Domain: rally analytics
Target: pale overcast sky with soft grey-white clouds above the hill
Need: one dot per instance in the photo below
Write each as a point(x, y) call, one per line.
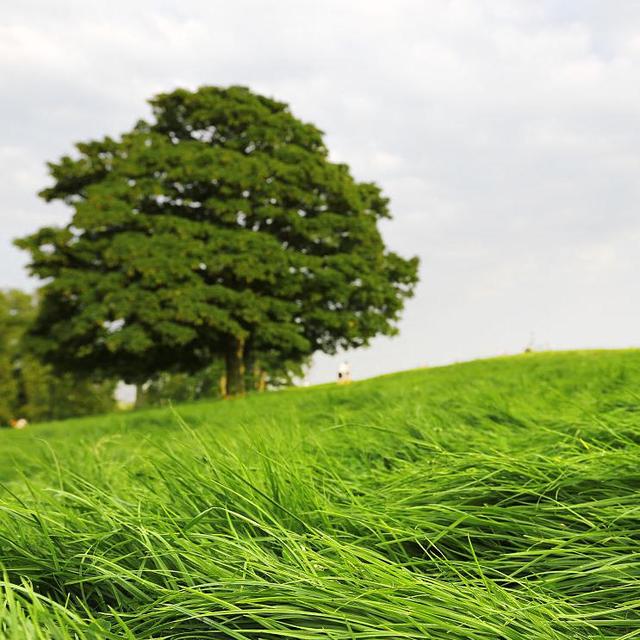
point(506, 133)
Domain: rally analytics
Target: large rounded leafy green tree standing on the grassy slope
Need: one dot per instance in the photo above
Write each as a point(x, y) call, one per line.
point(218, 228)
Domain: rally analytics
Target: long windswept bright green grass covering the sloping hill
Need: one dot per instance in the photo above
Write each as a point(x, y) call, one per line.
point(493, 499)
